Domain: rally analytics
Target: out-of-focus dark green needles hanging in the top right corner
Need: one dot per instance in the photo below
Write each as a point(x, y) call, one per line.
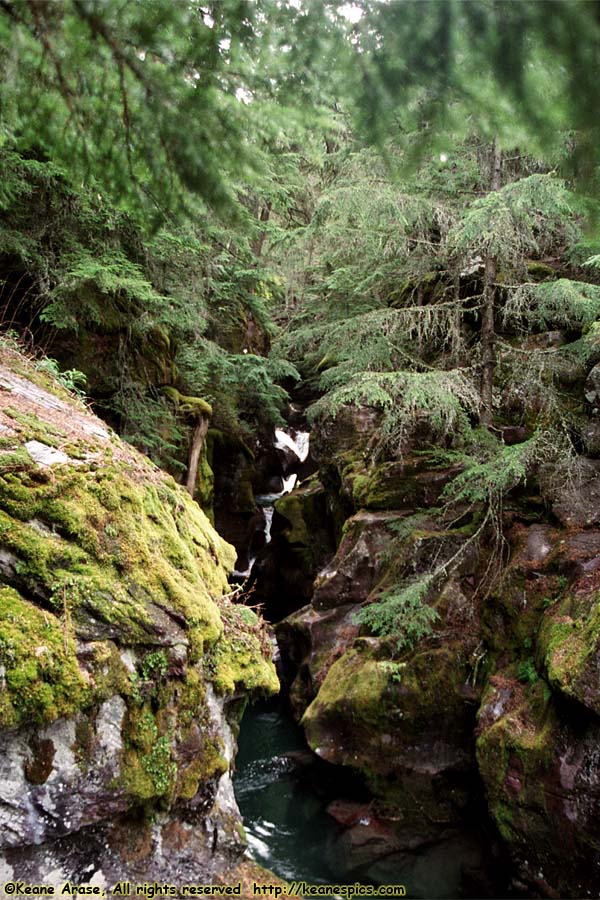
point(491, 67)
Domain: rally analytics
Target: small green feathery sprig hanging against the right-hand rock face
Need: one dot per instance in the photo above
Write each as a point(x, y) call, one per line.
point(403, 613)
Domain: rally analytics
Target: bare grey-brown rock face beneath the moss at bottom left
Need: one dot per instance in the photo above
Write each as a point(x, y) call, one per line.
point(78, 827)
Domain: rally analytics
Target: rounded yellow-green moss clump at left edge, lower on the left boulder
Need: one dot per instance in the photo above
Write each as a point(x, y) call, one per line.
point(41, 678)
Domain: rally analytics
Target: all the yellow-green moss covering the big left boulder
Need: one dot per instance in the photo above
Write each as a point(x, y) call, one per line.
point(117, 554)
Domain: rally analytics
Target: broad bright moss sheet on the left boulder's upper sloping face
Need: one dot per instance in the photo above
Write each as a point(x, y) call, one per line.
point(163, 547)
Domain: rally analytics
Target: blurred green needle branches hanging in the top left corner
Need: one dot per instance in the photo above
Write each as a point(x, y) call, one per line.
point(156, 103)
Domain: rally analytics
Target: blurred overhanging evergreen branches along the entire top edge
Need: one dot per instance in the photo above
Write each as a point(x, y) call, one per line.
point(159, 102)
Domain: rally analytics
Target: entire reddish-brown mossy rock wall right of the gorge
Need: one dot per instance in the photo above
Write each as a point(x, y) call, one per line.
point(435, 754)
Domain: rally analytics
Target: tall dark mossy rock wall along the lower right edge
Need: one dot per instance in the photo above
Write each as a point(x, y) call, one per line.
point(538, 725)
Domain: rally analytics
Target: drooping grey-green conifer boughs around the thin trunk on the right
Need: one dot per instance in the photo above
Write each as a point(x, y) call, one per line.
point(407, 340)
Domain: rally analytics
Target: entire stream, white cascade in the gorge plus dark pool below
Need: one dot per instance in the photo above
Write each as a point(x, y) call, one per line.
point(310, 821)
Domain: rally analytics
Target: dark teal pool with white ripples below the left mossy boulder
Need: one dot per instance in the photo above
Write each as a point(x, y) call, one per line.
point(282, 794)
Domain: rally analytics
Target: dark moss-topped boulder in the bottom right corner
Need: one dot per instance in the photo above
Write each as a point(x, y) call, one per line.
point(541, 770)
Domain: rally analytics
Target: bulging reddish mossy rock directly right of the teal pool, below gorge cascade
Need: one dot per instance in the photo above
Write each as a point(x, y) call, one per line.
point(405, 722)
